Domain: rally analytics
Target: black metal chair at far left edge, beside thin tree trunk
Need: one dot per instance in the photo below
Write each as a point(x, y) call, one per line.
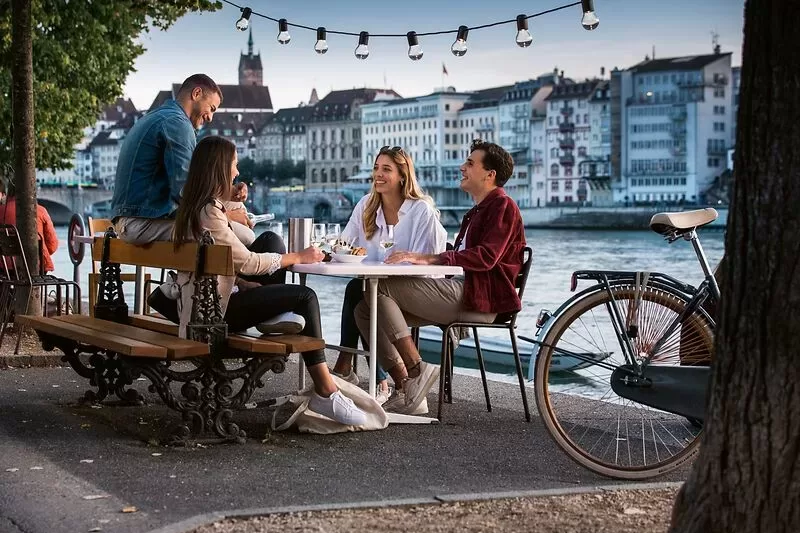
point(16, 279)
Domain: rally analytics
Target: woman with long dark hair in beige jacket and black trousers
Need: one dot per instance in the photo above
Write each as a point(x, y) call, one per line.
point(211, 174)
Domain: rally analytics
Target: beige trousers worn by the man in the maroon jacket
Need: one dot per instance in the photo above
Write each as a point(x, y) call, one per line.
point(412, 302)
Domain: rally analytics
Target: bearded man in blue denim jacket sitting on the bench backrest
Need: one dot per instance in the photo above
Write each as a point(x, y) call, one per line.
point(154, 160)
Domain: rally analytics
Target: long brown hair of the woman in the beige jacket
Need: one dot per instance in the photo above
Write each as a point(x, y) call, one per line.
point(209, 178)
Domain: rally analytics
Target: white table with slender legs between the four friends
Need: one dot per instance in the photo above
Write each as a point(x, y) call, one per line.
point(372, 271)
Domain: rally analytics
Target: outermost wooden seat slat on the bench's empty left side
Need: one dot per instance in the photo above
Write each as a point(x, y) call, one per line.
point(105, 340)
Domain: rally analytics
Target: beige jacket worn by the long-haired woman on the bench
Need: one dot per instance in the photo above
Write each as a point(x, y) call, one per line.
point(213, 219)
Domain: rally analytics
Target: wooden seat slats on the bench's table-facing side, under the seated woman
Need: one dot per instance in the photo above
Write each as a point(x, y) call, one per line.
point(277, 344)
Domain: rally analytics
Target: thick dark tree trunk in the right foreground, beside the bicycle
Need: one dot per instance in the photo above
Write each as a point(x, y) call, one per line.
point(747, 476)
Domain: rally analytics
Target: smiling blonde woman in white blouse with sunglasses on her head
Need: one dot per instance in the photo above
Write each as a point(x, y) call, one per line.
point(396, 200)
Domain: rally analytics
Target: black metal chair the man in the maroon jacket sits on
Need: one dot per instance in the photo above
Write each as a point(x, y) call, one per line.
point(503, 321)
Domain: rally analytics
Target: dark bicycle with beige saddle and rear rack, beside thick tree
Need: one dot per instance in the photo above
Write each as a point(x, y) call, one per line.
point(623, 366)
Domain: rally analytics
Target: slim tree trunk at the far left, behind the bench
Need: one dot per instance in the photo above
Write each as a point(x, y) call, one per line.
point(24, 141)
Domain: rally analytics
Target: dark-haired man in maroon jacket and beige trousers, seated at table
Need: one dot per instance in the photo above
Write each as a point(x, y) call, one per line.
point(488, 248)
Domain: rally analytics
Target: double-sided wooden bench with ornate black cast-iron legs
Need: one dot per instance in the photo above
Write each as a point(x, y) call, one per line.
point(112, 349)
